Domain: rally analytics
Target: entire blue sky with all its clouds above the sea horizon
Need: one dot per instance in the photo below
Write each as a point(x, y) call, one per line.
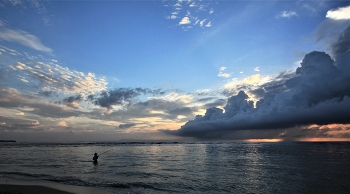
point(180, 70)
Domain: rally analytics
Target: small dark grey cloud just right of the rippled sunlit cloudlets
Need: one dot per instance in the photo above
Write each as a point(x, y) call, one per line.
point(120, 96)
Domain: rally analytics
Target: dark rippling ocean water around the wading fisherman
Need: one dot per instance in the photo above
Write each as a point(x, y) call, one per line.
point(137, 167)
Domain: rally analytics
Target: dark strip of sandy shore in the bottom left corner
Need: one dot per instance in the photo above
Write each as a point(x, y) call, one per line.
point(12, 186)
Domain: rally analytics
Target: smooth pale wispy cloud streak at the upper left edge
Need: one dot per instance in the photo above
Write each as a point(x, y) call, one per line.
point(23, 38)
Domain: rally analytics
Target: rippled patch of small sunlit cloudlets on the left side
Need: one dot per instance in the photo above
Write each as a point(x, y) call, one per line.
point(51, 77)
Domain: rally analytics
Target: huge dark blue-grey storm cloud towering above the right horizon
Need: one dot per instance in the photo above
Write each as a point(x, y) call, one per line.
point(318, 94)
